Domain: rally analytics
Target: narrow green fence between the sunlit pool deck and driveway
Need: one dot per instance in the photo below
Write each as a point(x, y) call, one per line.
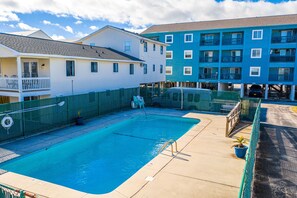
point(247, 178)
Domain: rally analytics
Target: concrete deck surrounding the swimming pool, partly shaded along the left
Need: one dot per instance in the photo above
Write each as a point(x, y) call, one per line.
point(204, 166)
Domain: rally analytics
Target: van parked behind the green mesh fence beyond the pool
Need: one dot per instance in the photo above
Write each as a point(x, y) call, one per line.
point(186, 98)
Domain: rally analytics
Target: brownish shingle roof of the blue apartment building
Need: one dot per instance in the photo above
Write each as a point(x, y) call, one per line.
point(225, 24)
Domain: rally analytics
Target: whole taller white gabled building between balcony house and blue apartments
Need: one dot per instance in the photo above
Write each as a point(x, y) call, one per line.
point(152, 52)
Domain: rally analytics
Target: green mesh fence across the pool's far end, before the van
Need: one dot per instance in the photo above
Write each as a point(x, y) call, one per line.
point(190, 99)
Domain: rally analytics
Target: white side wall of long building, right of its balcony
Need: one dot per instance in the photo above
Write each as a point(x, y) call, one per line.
point(85, 81)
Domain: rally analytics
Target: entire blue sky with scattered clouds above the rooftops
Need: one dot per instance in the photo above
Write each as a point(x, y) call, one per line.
point(74, 19)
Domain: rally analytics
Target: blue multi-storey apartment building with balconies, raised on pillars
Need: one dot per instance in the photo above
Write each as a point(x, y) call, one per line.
point(221, 53)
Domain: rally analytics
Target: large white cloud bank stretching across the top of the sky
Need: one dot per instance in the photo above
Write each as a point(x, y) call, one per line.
point(141, 13)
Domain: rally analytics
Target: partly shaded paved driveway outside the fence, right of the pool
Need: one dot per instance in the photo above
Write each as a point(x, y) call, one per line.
point(276, 163)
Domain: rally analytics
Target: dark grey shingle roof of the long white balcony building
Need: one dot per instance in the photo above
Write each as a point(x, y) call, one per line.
point(31, 45)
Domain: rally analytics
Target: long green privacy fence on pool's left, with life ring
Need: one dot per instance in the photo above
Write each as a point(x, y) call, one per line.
point(31, 117)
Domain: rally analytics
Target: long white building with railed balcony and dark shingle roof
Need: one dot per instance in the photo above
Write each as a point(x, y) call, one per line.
point(33, 68)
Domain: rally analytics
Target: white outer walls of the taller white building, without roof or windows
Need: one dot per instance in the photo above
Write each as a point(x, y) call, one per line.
point(116, 39)
